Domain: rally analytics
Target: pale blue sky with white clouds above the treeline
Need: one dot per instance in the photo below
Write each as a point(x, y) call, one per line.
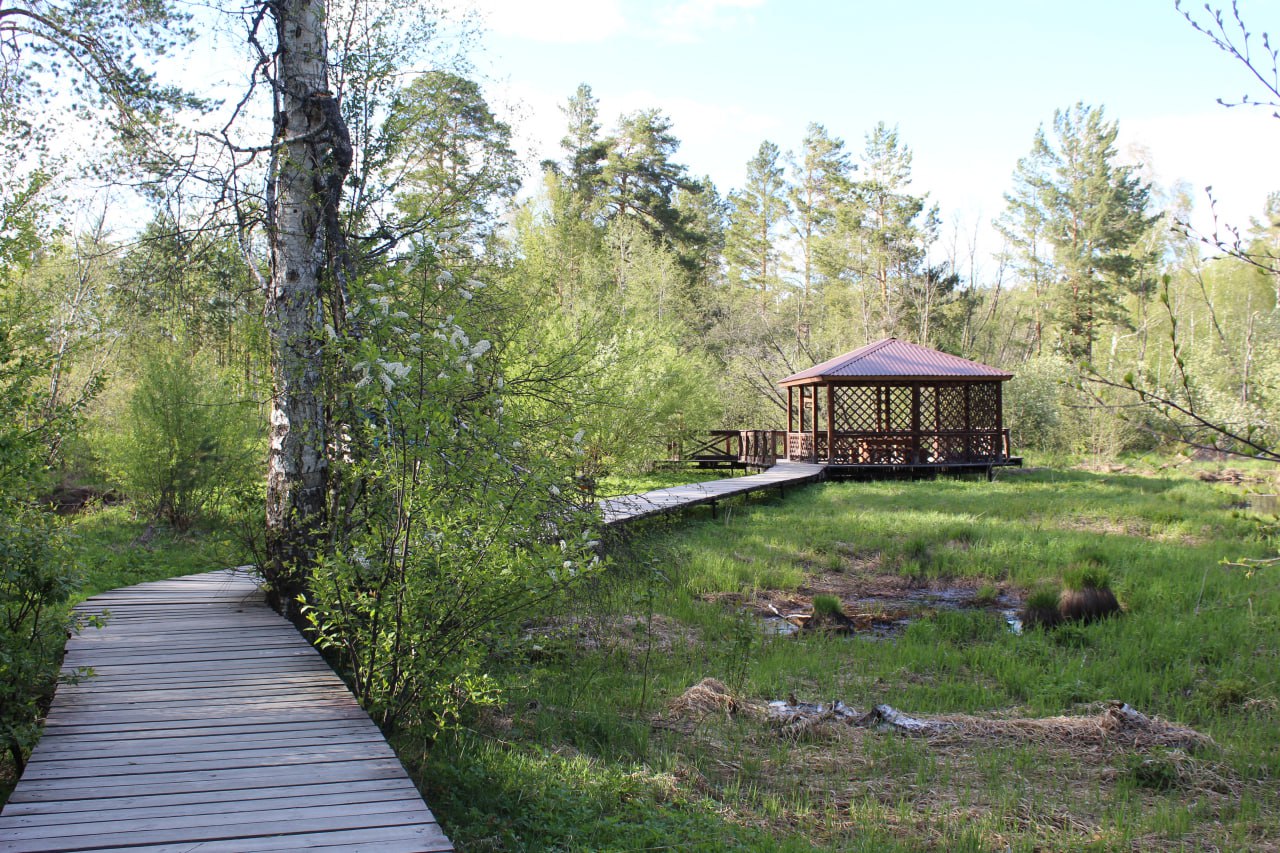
point(967, 84)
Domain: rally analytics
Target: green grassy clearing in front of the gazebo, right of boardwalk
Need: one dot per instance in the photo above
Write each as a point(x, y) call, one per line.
point(582, 736)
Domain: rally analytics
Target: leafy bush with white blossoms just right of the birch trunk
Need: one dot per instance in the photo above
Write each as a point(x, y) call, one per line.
point(451, 513)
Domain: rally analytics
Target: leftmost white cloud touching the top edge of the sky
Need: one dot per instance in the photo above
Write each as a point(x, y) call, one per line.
point(554, 21)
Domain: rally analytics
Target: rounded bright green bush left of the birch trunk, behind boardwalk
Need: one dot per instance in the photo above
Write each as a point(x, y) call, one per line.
point(185, 439)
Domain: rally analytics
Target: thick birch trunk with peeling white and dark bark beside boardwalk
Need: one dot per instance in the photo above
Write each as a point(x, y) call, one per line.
point(313, 157)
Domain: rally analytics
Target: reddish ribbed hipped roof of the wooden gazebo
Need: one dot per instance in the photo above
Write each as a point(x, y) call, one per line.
point(894, 359)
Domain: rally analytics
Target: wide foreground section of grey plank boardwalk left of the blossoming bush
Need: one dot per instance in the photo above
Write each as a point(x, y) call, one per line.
point(209, 727)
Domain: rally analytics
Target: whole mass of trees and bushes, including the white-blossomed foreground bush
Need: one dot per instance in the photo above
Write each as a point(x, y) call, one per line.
point(483, 345)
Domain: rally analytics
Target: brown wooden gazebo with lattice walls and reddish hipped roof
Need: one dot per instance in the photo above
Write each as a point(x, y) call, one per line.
point(898, 405)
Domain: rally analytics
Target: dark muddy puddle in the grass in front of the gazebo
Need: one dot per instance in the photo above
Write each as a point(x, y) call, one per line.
point(886, 617)
